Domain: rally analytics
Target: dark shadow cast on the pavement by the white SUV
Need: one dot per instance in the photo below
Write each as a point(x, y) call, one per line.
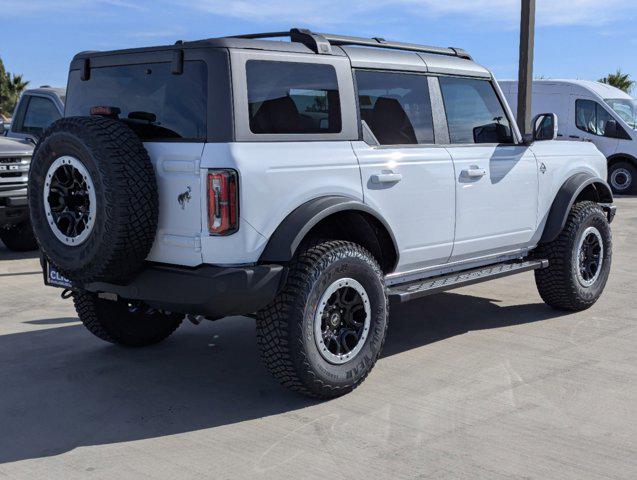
point(61, 388)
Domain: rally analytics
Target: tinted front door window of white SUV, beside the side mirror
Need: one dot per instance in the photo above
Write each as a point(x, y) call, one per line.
point(474, 112)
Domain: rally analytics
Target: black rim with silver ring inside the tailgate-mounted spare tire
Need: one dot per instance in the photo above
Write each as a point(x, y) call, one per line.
point(69, 200)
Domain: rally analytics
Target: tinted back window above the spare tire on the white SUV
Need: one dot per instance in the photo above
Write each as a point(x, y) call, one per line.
point(158, 105)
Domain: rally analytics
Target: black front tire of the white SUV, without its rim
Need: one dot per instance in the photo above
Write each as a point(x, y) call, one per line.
point(559, 285)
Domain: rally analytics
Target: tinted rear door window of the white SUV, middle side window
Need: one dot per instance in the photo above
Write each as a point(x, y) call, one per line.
point(396, 106)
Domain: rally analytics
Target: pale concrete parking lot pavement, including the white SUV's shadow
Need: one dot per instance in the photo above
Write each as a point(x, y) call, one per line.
point(485, 382)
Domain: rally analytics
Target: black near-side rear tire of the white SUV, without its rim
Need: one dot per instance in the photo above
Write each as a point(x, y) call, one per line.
point(285, 329)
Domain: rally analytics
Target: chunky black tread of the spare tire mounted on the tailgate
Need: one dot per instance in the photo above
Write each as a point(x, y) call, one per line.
point(132, 208)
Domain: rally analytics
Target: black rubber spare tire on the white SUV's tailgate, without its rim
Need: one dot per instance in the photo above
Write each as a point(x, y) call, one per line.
point(126, 209)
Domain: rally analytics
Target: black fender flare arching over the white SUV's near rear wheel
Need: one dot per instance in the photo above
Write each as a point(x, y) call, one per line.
point(292, 230)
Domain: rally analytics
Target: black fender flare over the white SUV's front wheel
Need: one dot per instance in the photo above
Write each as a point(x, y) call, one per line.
point(565, 198)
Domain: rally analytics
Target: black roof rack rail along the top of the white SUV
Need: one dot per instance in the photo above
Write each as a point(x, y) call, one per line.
point(322, 42)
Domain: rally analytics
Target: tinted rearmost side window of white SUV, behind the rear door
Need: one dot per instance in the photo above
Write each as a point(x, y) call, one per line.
point(296, 98)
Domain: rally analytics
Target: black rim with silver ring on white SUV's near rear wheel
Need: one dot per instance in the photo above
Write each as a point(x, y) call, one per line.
point(342, 321)
